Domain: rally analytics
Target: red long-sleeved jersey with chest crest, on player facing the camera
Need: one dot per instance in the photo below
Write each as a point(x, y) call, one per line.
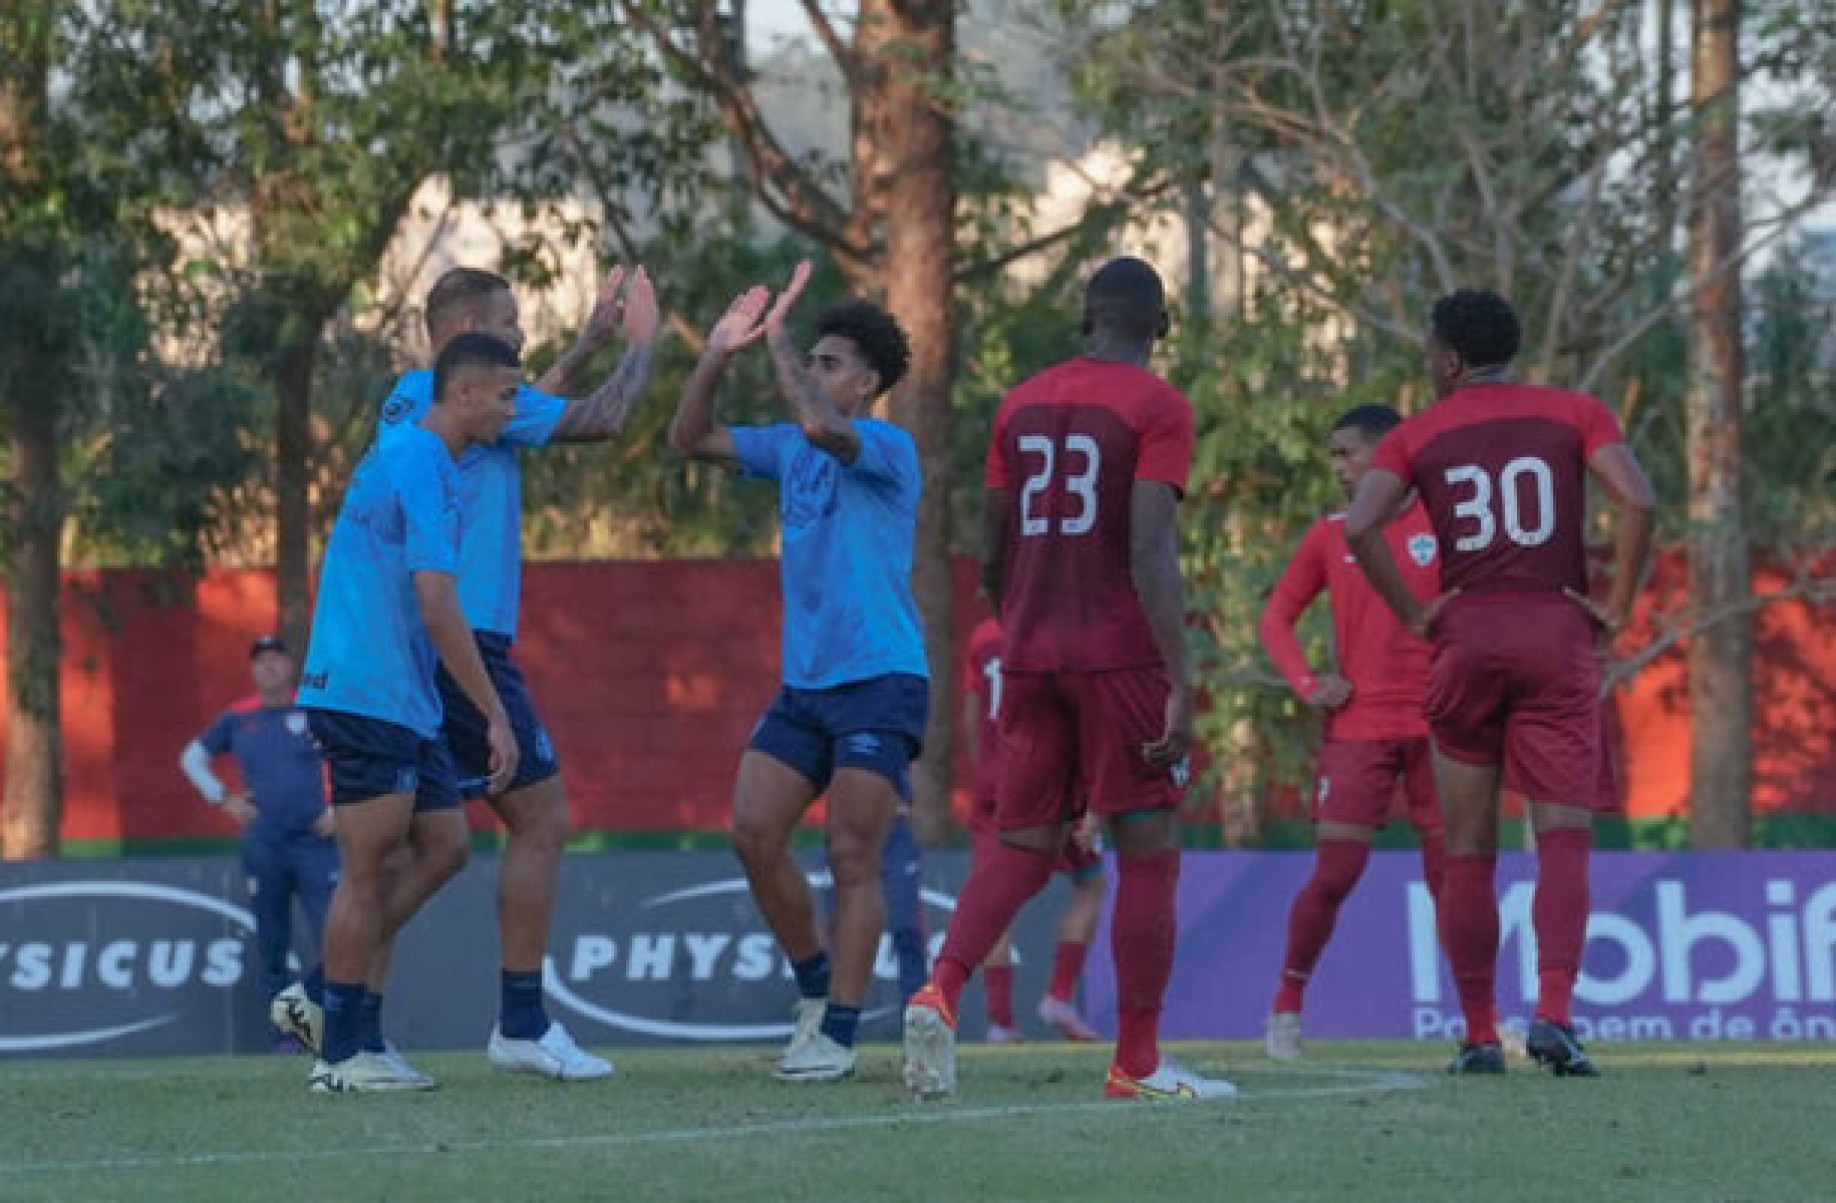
point(1383, 660)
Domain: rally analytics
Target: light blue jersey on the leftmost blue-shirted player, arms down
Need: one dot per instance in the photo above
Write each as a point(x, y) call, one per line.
point(370, 651)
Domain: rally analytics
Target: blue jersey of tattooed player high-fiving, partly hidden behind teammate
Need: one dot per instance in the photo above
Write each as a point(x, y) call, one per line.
point(491, 497)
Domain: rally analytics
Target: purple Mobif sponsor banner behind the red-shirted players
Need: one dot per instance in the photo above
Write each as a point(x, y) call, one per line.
point(1681, 947)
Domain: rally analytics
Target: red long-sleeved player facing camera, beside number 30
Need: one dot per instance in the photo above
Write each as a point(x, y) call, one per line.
point(1376, 736)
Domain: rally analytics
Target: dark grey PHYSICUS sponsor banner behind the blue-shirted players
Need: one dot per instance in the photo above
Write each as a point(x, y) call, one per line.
point(159, 958)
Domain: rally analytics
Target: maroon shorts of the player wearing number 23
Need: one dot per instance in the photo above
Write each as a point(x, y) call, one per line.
point(1073, 743)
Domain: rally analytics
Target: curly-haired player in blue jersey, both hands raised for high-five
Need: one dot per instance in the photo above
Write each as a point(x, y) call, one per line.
point(853, 710)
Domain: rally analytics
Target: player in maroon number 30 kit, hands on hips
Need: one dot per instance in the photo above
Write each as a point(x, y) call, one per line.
point(1516, 679)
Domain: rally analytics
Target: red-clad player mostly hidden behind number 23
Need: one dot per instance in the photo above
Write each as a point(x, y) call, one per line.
point(1082, 862)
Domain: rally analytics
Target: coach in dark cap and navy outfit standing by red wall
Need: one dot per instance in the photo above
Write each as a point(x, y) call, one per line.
point(287, 827)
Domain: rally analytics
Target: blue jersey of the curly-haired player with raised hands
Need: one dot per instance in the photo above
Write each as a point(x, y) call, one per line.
point(847, 567)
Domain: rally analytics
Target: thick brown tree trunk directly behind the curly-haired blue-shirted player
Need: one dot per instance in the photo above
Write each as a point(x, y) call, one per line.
point(919, 262)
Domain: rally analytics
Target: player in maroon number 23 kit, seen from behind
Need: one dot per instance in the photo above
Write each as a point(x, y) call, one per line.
point(1086, 471)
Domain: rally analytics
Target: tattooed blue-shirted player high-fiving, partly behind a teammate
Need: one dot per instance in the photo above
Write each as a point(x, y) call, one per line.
point(491, 504)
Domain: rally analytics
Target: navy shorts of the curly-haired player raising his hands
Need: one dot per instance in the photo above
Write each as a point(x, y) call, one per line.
point(873, 725)
